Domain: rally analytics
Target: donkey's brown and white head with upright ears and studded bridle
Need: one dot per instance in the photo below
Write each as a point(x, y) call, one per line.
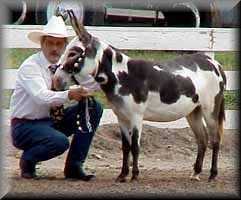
point(82, 56)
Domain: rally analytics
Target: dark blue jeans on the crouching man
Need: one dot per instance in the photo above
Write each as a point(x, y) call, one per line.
point(40, 140)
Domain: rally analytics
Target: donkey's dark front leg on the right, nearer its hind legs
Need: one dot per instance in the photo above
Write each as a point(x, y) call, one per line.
point(135, 149)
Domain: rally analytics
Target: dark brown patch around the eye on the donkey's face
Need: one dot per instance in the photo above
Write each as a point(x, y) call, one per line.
point(75, 55)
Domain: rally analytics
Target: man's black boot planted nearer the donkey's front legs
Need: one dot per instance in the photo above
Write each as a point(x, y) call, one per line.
point(77, 172)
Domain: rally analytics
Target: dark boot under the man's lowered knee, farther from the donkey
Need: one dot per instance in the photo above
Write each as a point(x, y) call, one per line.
point(27, 169)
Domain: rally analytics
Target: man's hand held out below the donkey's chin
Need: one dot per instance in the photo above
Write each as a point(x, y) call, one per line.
point(78, 92)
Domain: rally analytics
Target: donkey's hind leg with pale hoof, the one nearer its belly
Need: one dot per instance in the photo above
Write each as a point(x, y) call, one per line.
point(195, 121)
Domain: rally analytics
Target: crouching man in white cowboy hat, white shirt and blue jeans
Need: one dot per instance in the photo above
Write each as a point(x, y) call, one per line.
point(32, 129)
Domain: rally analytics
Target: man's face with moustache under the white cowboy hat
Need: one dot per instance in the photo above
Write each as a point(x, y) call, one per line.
point(53, 47)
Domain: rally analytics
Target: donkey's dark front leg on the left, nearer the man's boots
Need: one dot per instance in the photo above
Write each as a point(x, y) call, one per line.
point(125, 162)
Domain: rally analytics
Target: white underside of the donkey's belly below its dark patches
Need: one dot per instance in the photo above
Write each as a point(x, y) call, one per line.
point(162, 112)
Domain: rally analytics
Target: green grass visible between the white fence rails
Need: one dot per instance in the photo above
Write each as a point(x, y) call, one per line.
point(229, 61)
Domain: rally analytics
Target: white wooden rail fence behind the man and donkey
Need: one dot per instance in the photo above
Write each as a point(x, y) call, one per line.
point(142, 38)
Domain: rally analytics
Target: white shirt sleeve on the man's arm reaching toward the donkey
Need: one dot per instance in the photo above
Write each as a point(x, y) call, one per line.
point(31, 78)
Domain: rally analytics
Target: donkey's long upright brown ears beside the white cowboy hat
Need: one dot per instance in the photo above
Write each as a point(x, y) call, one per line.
point(79, 29)
